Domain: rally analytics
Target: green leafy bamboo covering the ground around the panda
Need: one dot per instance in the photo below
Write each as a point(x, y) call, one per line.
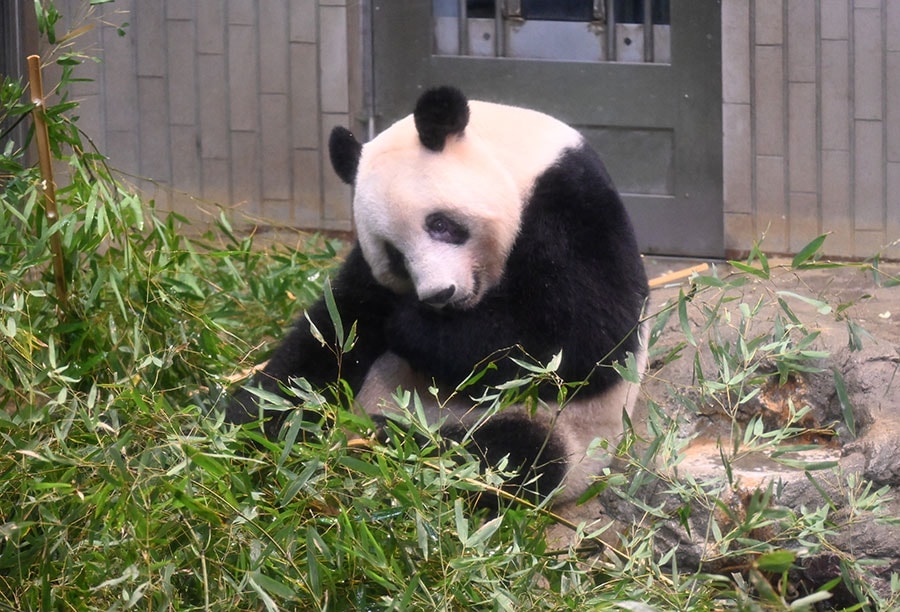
point(120, 487)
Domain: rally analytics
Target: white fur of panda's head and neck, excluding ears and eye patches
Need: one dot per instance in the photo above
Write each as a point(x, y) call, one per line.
point(482, 178)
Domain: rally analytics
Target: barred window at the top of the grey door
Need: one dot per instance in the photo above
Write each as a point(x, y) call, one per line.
point(634, 31)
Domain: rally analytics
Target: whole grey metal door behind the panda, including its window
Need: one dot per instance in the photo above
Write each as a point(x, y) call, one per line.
point(640, 78)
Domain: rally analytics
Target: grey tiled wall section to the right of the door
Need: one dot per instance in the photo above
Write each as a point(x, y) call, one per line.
point(811, 109)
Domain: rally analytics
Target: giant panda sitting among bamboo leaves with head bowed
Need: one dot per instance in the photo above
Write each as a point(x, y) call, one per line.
point(485, 233)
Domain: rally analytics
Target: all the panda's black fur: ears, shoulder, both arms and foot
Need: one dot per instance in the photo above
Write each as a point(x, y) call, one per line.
point(574, 281)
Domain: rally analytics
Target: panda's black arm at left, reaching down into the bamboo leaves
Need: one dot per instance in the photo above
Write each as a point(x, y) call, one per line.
point(359, 299)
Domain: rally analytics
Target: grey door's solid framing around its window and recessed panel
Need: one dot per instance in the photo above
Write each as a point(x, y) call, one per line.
point(686, 97)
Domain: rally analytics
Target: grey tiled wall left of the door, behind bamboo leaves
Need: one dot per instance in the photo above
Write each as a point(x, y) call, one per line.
point(225, 102)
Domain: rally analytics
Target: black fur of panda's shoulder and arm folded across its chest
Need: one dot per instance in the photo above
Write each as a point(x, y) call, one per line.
point(573, 281)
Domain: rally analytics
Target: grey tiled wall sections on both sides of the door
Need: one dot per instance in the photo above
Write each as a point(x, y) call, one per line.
point(230, 102)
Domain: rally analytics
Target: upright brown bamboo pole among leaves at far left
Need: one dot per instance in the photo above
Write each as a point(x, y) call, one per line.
point(43, 143)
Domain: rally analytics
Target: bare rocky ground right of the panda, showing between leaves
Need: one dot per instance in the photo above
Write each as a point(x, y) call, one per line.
point(872, 378)
